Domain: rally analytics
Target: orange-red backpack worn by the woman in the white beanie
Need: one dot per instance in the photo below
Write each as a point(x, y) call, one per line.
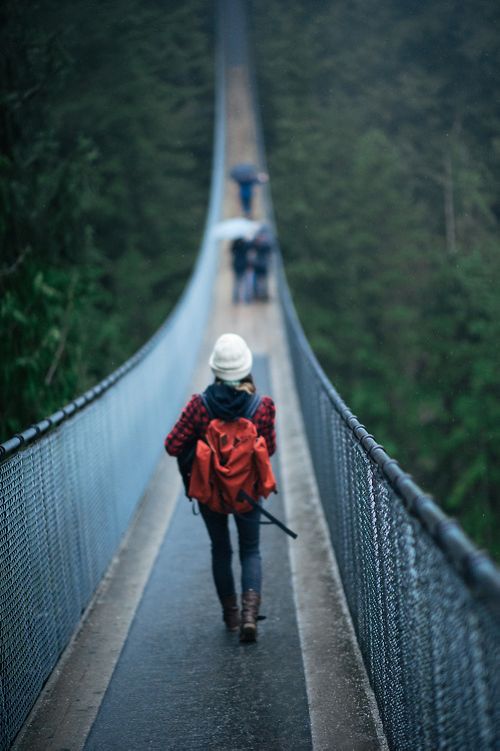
point(231, 459)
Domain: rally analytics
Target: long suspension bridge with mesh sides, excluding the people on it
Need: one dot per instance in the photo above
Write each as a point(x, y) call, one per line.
point(382, 626)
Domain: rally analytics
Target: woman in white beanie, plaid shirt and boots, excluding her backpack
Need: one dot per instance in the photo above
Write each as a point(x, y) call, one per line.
point(232, 395)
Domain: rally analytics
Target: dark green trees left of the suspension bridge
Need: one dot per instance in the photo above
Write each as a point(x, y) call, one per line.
point(105, 153)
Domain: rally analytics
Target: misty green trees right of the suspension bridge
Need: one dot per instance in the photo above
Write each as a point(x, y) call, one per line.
point(381, 123)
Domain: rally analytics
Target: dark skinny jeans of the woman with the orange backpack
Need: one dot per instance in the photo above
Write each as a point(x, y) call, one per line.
point(248, 537)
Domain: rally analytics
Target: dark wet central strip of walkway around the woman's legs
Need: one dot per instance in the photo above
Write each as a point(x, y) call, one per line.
point(182, 680)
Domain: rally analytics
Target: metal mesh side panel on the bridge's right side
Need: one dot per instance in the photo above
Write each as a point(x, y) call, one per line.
point(429, 639)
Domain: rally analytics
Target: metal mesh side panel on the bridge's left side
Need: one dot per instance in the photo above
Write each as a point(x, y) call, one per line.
point(67, 498)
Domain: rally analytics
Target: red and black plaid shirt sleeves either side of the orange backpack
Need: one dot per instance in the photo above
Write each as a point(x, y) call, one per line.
point(193, 424)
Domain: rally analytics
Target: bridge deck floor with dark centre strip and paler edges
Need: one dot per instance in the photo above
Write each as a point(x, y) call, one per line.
point(152, 666)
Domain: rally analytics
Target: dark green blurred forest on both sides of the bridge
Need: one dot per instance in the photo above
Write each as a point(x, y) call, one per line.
point(382, 128)
